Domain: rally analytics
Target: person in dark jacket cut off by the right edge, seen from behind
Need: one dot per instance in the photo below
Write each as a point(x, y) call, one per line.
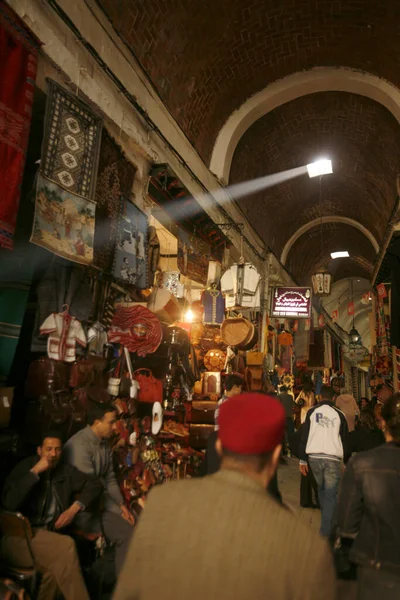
point(369, 511)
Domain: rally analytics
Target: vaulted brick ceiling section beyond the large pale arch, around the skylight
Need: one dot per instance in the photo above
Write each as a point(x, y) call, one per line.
point(363, 140)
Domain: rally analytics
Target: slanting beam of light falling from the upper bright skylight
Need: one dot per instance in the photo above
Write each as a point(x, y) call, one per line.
point(233, 192)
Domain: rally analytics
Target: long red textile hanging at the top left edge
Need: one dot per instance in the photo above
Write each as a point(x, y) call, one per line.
point(18, 64)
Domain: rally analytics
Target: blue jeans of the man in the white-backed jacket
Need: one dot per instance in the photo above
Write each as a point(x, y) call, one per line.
point(327, 475)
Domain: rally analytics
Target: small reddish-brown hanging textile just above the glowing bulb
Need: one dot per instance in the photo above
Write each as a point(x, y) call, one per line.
point(193, 257)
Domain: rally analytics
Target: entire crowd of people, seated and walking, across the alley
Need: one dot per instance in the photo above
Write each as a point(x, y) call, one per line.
point(228, 533)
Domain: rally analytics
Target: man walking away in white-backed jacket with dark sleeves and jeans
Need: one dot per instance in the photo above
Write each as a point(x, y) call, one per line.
point(324, 446)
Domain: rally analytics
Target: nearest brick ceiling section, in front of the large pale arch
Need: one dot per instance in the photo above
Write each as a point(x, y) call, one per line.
point(206, 57)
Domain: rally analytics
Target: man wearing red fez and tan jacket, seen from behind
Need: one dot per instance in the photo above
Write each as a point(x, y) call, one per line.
point(222, 537)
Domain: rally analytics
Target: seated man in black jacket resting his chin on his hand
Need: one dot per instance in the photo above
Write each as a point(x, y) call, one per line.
point(42, 488)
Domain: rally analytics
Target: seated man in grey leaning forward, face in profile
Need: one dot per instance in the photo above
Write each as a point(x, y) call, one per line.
point(88, 451)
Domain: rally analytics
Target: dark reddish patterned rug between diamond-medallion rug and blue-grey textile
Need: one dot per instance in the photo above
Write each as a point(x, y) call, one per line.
point(114, 182)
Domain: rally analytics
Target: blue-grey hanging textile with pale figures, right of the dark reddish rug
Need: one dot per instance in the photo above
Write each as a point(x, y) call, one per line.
point(130, 258)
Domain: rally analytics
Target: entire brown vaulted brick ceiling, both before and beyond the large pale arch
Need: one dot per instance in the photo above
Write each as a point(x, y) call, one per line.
point(205, 58)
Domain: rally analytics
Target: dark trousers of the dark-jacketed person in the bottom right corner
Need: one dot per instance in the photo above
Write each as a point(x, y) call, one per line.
point(376, 584)
